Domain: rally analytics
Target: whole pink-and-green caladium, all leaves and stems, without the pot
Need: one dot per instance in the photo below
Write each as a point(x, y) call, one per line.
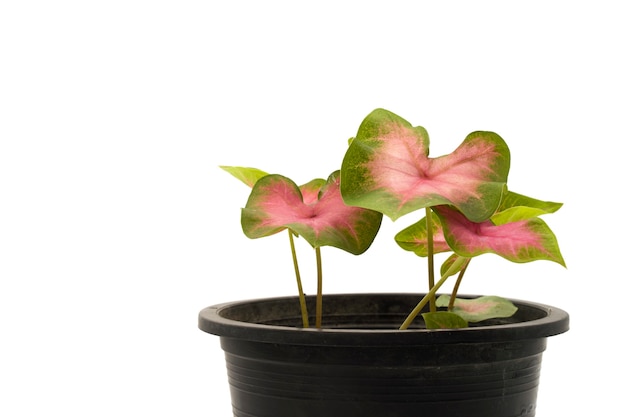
point(387, 170)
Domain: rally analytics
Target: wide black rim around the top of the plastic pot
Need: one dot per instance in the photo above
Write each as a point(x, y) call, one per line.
point(547, 321)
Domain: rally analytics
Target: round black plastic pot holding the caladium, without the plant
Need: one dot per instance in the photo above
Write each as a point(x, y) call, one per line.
point(360, 365)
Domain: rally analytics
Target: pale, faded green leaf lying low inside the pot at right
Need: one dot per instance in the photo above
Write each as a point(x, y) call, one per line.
point(479, 309)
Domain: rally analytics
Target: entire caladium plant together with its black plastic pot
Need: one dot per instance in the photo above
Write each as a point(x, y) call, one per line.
point(408, 354)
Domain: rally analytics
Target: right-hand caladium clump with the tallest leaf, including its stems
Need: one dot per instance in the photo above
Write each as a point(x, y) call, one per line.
point(468, 208)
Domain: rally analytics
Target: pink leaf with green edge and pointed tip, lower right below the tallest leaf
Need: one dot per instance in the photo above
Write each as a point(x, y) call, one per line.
point(520, 241)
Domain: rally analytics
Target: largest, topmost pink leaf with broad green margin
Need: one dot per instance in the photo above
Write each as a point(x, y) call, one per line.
point(387, 168)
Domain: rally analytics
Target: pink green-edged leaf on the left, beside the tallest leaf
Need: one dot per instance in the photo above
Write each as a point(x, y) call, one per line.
point(277, 203)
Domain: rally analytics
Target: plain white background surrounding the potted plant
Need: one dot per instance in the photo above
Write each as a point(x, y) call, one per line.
point(117, 226)
